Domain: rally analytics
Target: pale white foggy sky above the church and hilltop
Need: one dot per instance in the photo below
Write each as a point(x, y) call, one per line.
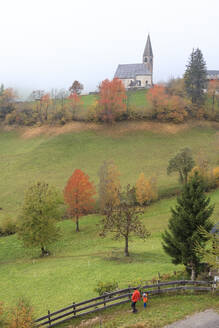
point(50, 43)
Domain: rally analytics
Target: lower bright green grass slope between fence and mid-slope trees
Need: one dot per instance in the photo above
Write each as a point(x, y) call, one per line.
point(80, 260)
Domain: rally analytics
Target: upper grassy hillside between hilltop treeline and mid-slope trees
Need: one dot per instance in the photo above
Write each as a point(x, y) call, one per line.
point(27, 155)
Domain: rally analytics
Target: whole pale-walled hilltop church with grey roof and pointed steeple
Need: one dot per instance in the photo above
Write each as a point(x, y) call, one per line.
point(138, 75)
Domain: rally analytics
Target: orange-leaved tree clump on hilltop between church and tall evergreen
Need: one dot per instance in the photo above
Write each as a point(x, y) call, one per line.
point(167, 107)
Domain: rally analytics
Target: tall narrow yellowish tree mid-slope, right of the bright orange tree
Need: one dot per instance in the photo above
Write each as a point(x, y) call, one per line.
point(109, 186)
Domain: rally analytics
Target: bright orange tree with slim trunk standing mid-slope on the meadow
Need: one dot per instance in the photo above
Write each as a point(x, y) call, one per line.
point(78, 195)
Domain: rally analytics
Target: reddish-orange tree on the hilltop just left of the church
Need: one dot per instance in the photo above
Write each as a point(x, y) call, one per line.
point(112, 100)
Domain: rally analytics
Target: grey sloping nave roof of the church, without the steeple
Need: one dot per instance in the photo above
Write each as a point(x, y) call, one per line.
point(128, 71)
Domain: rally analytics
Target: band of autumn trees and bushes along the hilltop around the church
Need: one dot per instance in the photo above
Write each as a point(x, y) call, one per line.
point(192, 96)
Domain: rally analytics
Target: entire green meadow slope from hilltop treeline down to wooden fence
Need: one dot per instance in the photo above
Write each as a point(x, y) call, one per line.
point(80, 260)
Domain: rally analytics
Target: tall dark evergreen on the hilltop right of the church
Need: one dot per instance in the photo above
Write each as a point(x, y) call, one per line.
point(195, 77)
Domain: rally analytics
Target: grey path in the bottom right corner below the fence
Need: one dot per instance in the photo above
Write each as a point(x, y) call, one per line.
point(206, 319)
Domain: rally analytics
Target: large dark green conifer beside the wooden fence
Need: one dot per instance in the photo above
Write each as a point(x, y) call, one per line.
point(191, 212)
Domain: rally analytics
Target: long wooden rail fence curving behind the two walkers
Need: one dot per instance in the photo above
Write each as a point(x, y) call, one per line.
point(76, 310)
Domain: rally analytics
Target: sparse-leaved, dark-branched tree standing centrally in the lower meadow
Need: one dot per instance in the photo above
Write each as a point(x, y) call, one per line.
point(124, 220)
